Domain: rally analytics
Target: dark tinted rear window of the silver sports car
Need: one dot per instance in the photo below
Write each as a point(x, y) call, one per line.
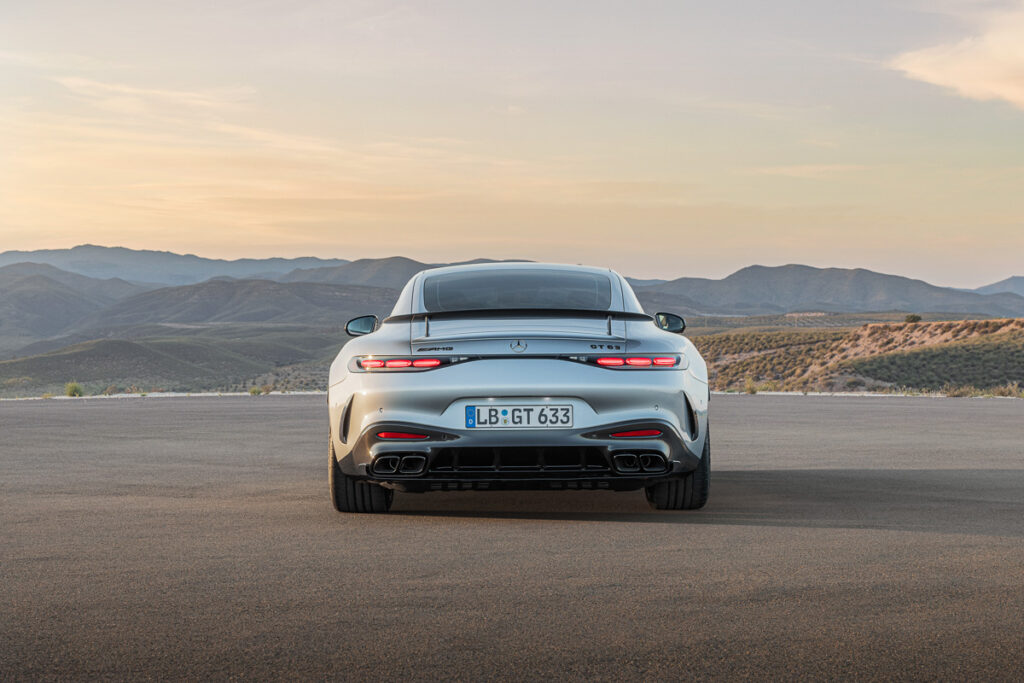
point(517, 289)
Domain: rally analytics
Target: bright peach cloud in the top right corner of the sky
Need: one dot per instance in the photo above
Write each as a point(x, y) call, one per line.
point(988, 66)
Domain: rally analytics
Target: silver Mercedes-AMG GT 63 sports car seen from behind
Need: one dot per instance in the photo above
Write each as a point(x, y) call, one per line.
point(519, 376)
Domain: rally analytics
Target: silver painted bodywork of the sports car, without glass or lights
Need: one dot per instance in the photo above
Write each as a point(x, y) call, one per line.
point(438, 398)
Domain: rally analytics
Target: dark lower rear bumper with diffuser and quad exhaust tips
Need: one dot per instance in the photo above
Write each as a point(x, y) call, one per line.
point(580, 458)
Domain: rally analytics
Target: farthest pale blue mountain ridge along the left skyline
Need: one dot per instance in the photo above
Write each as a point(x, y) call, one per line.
point(158, 267)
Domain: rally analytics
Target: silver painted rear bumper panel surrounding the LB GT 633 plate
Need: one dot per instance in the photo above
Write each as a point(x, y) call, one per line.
point(437, 402)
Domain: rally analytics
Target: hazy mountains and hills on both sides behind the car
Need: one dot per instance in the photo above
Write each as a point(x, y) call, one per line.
point(114, 316)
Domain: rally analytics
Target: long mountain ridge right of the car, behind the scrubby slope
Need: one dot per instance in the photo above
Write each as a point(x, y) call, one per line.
point(762, 290)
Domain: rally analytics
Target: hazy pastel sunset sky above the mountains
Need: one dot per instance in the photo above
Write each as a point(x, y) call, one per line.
point(660, 139)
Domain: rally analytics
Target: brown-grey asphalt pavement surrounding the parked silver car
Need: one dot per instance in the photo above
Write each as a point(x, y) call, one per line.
point(194, 538)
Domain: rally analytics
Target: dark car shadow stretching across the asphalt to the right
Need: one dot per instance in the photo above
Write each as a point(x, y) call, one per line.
point(955, 501)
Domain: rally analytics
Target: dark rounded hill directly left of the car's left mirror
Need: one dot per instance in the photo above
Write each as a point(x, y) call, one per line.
point(246, 302)
